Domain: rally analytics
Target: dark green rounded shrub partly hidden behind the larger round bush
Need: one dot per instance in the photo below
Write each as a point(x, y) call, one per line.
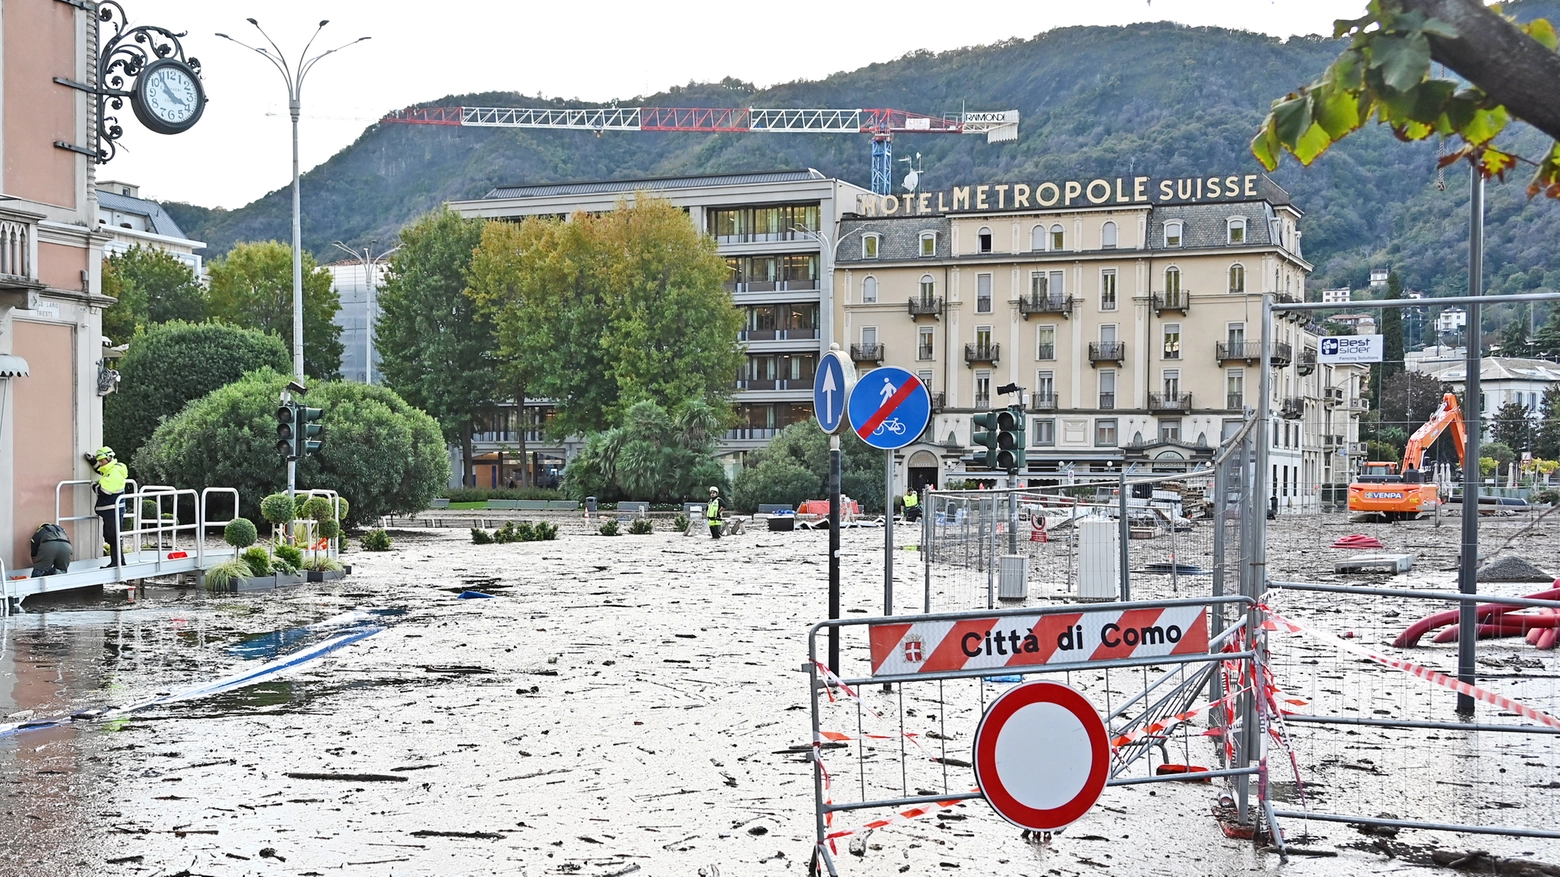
point(174, 364)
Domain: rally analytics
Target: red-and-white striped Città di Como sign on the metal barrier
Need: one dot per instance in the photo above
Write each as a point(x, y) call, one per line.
point(1023, 641)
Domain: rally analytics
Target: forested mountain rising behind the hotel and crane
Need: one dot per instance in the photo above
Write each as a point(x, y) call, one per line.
point(1155, 99)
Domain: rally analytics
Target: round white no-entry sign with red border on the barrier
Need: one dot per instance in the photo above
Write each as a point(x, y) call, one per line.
point(1041, 756)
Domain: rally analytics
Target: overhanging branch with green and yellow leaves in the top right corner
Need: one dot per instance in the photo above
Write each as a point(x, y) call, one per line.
point(1386, 74)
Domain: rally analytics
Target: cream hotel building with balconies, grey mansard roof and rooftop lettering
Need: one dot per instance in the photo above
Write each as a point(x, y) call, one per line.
point(1132, 321)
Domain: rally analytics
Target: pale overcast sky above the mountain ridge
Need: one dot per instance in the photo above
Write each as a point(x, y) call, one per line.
point(592, 51)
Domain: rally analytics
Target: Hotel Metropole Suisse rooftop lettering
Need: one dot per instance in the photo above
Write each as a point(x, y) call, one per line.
point(1118, 191)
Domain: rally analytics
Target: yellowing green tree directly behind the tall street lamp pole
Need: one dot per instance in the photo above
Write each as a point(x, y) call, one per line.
point(252, 288)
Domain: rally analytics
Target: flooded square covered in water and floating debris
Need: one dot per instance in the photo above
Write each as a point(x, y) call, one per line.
point(622, 706)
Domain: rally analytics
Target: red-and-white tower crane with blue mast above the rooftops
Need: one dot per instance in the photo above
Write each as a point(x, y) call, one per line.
point(881, 124)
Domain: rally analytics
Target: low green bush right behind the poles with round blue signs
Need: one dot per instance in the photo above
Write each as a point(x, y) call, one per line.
point(795, 467)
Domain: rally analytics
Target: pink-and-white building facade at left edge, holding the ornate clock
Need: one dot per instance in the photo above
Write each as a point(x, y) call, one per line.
point(51, 254)
